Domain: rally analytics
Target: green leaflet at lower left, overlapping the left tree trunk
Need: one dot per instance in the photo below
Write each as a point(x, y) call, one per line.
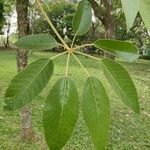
point(28, 83)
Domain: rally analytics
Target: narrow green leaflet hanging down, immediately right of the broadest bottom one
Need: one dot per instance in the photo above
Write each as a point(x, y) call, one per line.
point(95, 108)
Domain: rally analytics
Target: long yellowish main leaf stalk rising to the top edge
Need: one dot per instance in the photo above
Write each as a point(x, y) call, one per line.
point(50, 23)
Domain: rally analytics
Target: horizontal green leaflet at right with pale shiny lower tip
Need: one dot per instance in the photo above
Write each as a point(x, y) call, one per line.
point(124, 50)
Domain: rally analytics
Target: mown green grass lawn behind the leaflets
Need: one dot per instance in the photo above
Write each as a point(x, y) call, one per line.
point(128, 131)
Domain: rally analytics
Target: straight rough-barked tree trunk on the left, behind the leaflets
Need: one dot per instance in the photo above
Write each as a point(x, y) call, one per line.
point(27, 132)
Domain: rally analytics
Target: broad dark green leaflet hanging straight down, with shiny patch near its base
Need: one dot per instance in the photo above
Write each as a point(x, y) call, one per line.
point(60, 113)
